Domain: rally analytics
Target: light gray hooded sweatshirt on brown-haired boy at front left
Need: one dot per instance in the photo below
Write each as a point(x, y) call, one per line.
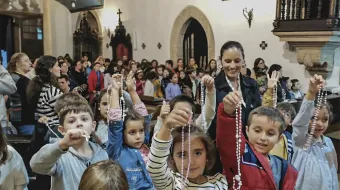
point(65, 167)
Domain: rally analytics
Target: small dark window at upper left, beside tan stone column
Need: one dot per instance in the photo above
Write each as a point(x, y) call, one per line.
point(32, 29)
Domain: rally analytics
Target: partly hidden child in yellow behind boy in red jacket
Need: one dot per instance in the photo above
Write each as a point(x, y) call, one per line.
point(284, 148)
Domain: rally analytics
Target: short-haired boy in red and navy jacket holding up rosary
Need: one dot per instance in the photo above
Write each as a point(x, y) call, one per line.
point(264, 128)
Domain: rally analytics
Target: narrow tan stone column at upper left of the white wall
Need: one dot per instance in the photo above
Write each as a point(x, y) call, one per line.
point(47, 27)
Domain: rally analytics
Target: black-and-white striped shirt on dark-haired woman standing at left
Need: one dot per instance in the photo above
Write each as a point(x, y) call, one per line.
point(46, 102)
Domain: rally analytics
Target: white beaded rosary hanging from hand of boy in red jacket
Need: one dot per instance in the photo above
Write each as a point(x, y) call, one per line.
point(237, 182)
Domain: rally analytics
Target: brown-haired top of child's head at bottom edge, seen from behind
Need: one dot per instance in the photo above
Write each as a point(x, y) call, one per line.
point(104, 175)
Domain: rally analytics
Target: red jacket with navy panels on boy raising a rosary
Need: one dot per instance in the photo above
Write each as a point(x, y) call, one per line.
point(256, 171)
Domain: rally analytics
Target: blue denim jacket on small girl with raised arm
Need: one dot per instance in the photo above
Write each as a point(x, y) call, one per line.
point(129, 158)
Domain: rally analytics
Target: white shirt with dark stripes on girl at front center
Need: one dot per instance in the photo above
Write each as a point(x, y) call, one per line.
point(165, 178)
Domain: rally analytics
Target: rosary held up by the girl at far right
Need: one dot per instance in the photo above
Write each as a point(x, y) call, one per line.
point(321, 97)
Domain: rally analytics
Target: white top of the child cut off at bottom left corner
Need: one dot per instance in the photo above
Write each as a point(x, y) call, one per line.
point(13, 174)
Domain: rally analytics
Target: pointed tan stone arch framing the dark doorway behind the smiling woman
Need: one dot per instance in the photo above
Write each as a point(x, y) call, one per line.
point(181, 25)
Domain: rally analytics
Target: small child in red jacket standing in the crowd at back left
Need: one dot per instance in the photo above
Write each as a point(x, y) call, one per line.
point(95, 81)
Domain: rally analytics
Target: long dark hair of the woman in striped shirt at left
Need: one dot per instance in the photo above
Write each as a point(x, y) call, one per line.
point(43, 77)
